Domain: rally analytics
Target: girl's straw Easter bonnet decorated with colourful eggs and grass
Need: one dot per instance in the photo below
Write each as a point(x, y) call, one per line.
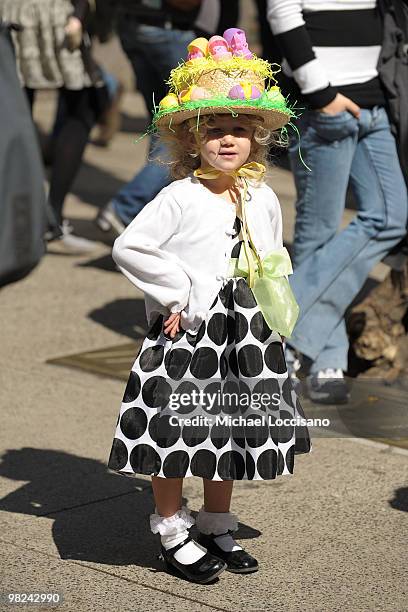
point(221, 75)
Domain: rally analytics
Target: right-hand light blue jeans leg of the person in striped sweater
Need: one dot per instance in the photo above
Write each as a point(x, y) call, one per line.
point(344, 263)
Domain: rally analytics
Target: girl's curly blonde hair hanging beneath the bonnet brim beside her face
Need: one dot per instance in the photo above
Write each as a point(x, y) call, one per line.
point(183, 143)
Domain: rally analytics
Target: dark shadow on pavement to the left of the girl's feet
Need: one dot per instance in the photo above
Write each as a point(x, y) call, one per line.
point(98, 516)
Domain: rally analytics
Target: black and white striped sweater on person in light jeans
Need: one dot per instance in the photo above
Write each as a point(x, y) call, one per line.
point(330, 47)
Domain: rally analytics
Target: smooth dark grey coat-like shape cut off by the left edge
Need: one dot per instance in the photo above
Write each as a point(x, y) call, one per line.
point(22, 197)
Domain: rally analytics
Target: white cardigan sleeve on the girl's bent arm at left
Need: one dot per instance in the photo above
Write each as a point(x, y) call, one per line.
point(139, 254)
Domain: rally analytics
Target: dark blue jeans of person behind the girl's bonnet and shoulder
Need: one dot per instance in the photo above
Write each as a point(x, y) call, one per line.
point(153, 52)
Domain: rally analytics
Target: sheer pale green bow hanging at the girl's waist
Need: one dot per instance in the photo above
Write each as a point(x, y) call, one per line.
point(271, 288)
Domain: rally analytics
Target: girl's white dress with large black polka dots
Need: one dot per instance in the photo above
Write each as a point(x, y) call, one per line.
point(246, 430)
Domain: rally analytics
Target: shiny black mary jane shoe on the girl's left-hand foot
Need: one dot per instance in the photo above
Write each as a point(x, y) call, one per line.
point(202, 571)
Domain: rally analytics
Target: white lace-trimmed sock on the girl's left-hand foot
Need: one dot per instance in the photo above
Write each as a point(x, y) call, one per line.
point(173, 530)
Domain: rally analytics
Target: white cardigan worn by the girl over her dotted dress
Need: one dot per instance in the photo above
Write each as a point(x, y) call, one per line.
point(178, 247)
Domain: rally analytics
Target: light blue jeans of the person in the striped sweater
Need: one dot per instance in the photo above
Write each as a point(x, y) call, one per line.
point(330, 267)
